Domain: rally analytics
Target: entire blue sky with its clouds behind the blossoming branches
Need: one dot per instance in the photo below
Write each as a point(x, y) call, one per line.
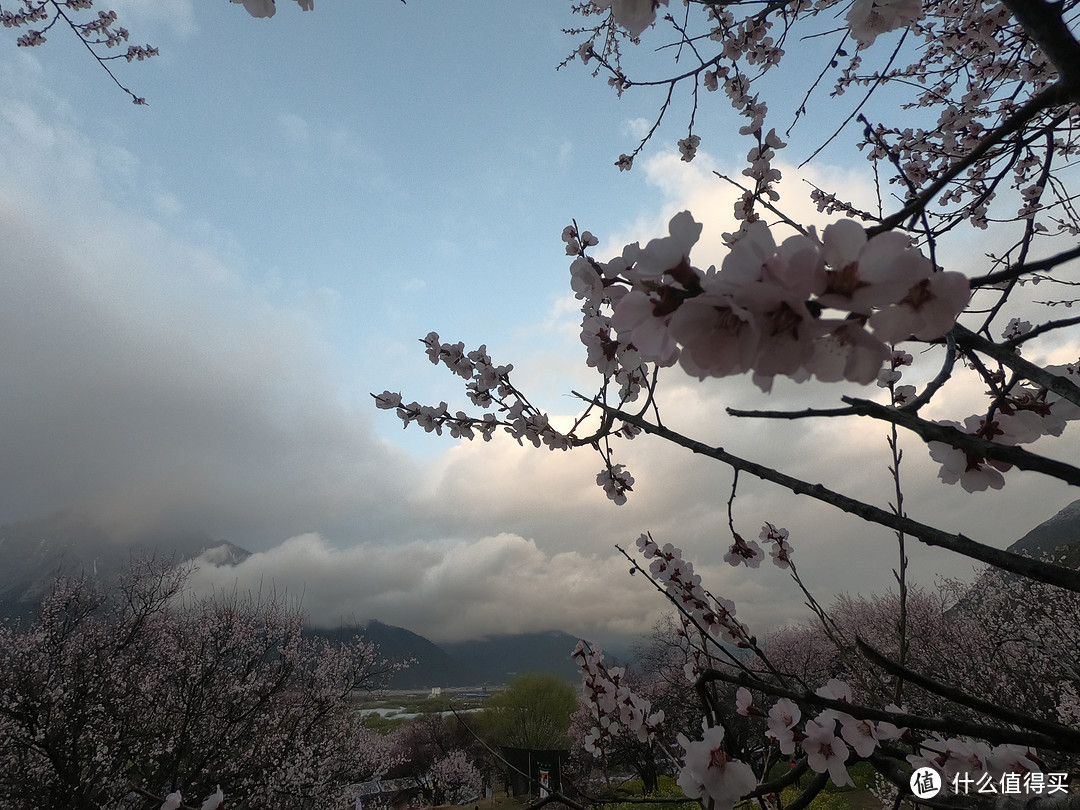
point(200, 295)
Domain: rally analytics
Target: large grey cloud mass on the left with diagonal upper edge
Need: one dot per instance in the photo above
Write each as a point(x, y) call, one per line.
point(147, 380)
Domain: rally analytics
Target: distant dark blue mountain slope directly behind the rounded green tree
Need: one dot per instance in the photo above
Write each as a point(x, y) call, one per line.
point(501, 659)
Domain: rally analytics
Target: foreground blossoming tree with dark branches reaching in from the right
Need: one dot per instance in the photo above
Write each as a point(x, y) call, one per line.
point(989, 141)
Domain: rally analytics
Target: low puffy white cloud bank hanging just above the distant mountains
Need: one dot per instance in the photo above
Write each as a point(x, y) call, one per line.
point(448, 590)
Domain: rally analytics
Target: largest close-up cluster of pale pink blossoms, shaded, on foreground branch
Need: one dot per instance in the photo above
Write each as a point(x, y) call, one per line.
point(764, 312)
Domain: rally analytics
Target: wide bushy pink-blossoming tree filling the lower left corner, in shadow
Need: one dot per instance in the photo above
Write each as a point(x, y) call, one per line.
point(146, 697)
